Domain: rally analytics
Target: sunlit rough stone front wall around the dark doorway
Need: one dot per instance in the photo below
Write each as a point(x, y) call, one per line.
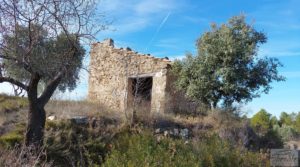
point(111, 68)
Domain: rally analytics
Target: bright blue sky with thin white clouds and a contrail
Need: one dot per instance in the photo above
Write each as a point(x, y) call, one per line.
point(169, 28)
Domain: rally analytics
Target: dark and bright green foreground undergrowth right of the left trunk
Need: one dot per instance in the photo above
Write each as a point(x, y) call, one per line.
point(68, 144)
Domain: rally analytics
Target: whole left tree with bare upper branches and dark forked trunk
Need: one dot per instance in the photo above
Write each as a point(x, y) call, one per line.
point(41, 44)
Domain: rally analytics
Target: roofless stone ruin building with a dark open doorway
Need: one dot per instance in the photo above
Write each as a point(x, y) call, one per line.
point(120, 79)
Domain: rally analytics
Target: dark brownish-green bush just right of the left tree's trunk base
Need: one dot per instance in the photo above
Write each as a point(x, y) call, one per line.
point(67, 144)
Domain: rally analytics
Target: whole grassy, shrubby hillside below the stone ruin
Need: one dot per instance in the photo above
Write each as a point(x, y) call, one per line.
point(107, 139)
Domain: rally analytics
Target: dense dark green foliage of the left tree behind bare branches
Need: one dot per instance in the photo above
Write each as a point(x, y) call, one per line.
point(48, 57)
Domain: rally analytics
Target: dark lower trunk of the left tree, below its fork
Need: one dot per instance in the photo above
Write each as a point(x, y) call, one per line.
point(36, 124)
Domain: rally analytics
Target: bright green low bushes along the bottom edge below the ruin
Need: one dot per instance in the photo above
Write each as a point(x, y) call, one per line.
point(144, 150)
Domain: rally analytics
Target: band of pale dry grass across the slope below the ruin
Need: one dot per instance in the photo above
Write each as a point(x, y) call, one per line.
point(65, 109)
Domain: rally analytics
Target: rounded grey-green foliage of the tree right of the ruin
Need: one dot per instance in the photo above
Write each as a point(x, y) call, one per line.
point(226, 68)
